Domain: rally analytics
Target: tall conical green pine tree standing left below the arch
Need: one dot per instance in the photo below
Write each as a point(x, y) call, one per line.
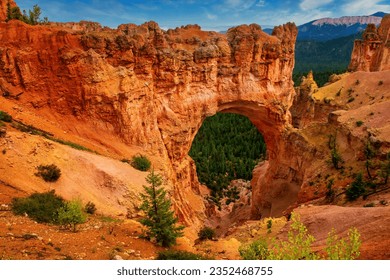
point(159, 219)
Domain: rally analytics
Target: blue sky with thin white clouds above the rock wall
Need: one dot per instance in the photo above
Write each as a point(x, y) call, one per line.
point(209, 14)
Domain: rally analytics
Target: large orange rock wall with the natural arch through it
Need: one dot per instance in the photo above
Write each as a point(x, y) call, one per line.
point(153, 88)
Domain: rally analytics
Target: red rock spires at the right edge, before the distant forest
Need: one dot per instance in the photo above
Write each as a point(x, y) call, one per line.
point(373, 52)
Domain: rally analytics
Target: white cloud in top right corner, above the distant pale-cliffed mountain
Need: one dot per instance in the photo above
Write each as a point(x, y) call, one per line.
point(364, 7)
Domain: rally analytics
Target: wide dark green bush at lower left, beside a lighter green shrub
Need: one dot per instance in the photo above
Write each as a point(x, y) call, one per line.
point(41, 207)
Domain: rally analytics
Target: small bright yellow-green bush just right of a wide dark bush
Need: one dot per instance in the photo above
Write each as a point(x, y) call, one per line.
point(71, 214)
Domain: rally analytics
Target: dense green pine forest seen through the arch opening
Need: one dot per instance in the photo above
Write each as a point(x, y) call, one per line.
point(226, 147)
